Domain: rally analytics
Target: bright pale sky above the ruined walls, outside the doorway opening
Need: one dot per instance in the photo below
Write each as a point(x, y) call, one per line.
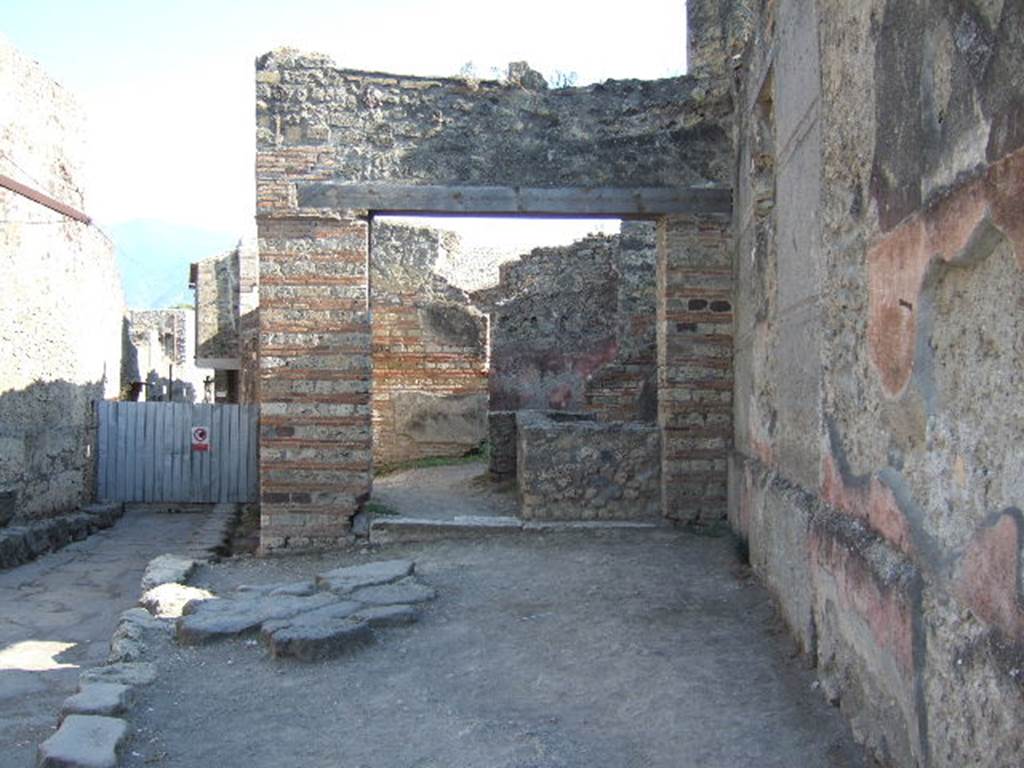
point(168, 87)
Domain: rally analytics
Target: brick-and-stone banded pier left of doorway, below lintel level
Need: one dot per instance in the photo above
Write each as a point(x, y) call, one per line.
point(315, 358)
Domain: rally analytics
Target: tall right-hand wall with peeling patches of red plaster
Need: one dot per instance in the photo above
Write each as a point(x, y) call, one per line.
point(878, 466)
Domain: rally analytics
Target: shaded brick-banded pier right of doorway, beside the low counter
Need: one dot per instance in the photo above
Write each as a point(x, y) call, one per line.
point(695, 366)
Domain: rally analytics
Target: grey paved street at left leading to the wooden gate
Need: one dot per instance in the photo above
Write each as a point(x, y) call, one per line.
point(58, 614)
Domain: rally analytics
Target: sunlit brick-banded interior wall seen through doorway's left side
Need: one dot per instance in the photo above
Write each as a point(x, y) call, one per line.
point(430, 351)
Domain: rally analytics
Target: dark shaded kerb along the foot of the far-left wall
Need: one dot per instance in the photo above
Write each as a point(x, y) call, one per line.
point(22, 544)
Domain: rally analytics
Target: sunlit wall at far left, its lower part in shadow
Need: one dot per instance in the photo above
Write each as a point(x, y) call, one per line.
point(61, 321)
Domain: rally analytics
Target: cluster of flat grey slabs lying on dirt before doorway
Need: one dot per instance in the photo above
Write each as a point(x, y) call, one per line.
point(314, 620)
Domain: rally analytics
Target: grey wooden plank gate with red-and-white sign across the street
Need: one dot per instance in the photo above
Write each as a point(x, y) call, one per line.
point(146, 453)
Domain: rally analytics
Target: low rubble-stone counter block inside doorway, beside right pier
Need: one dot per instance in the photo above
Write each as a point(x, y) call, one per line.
point(586, 471)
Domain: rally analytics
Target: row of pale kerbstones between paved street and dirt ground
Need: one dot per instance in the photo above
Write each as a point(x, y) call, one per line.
point(127, 668)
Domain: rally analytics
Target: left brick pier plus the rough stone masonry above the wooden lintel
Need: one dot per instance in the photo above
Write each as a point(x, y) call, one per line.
point(319, 125)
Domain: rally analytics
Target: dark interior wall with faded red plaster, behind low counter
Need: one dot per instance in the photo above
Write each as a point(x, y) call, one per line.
point(573, 327)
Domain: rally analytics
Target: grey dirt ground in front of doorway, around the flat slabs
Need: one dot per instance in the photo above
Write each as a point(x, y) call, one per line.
point(605, 650)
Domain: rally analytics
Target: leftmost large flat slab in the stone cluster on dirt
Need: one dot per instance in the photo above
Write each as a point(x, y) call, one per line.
point(215, 620)
